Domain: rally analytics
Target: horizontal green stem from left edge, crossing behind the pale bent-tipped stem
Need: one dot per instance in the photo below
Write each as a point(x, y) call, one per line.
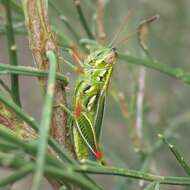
point(28, 71)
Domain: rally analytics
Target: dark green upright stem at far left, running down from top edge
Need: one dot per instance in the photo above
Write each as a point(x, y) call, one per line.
point(12, 52)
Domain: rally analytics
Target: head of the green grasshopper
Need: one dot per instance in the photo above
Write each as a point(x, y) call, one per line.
point(101, 58)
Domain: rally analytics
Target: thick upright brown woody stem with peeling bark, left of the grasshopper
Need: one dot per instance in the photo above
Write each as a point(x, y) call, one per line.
point(42, 39)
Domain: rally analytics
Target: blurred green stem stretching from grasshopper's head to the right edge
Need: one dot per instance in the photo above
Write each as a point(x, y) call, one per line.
point(177, 73)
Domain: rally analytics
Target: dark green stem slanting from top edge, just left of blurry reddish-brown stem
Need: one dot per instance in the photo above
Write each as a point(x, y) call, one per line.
point(82, 19)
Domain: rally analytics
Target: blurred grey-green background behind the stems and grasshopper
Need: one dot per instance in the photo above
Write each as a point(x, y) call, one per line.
point(166, 100)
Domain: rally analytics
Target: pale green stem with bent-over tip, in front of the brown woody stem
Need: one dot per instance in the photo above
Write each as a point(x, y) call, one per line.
point(45, 122)
